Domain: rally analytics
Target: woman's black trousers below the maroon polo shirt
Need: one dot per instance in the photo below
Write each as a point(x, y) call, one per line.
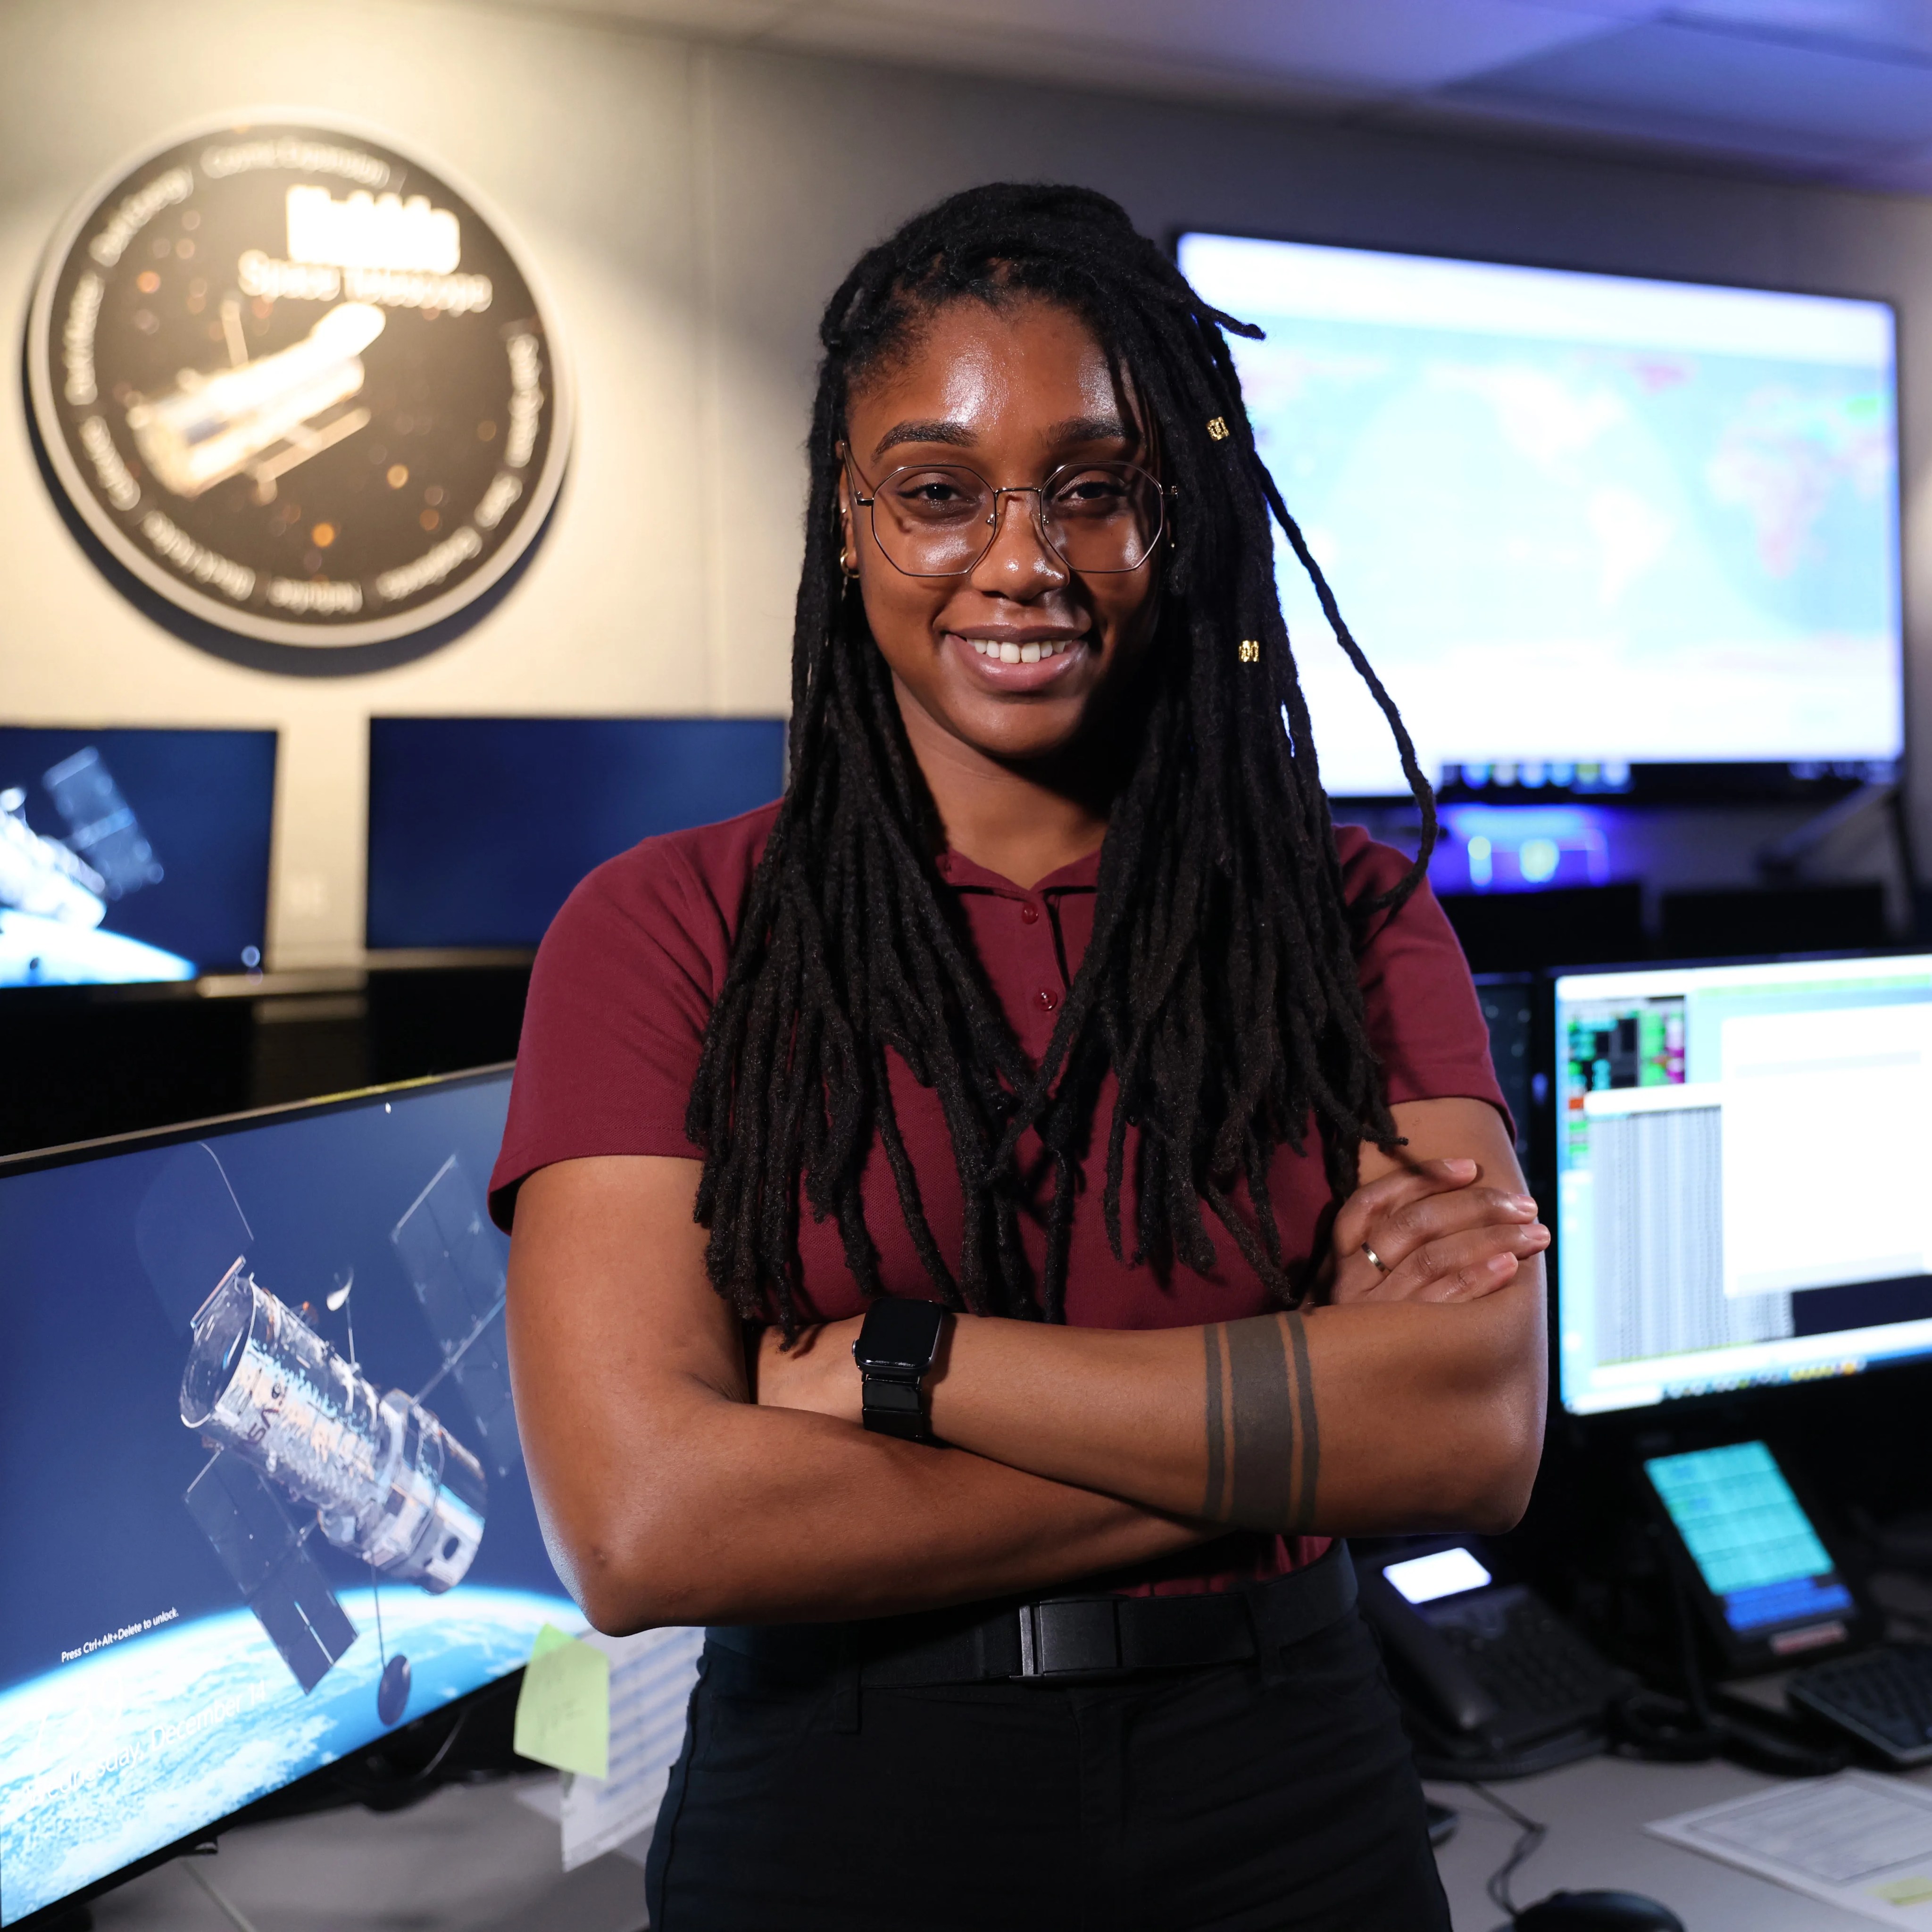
point(1236, 1798)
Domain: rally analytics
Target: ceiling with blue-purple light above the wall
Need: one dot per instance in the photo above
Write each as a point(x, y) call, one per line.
point(1834, 90)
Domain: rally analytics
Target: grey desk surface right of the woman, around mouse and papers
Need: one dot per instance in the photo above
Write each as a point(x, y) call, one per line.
point(1597, 1813)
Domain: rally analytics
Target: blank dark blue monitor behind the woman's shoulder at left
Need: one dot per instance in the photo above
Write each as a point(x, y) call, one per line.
point(480, 828)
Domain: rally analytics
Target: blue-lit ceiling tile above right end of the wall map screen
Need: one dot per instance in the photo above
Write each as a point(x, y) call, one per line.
point(1732, 88)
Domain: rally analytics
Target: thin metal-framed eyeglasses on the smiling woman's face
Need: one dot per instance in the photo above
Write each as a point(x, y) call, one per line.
point(938, 521)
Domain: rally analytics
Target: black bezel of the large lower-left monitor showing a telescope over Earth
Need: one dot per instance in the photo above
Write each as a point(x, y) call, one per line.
point(326, 1786)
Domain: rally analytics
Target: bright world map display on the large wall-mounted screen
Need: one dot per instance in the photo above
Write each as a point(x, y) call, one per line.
point(1579, 523)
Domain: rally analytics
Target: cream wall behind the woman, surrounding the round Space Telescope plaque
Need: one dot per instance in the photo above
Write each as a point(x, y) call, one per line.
point(693, 208)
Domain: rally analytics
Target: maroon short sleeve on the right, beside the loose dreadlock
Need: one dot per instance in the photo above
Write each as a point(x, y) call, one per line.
point(1425, 1021)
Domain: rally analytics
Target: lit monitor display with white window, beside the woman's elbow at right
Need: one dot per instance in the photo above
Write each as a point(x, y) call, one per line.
point(1742, 1158)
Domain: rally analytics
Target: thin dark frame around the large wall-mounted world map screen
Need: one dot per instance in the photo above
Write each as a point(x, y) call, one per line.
point(1744, 781)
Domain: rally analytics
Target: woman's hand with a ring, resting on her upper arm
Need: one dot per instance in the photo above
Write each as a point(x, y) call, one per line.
point(1438, 1234)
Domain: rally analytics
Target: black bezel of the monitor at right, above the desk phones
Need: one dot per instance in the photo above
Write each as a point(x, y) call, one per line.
point(1674, 1411)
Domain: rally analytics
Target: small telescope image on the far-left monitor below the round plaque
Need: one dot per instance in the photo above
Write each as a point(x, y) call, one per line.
point(132, 855)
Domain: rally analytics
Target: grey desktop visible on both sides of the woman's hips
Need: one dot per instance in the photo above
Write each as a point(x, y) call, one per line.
point(478, 1861)
